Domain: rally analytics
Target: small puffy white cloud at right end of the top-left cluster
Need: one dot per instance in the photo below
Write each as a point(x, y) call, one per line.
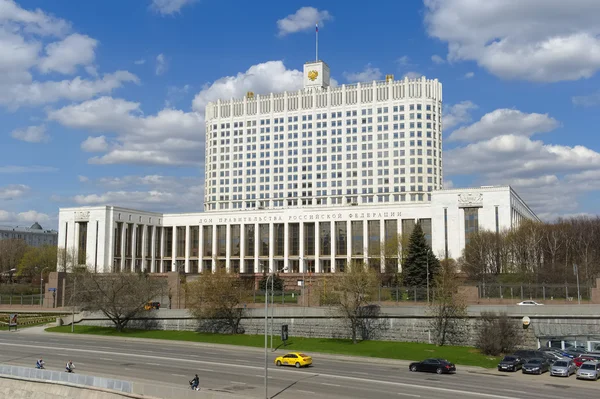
point(66, 55)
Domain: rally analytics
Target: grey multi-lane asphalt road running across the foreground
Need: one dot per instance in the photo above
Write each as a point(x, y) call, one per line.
point(241, 370)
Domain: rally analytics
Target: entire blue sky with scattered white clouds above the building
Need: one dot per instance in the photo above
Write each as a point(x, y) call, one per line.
point(101, 102)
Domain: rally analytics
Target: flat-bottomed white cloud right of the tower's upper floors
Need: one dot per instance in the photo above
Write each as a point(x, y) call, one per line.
point(505, 122)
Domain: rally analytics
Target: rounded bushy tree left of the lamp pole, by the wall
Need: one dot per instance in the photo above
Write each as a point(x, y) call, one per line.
point(216, 300)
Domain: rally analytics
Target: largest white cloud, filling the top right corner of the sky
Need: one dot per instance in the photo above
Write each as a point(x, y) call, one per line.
point(536, 40)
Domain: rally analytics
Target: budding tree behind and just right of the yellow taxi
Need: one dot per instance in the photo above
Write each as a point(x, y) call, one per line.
point(357, 290)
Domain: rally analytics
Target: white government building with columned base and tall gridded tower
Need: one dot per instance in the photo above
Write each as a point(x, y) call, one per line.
point(304, 181)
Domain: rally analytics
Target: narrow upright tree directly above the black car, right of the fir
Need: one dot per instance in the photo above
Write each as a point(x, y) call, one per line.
point(448, 309)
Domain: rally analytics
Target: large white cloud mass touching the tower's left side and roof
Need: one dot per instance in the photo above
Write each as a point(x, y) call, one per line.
point(171, 136)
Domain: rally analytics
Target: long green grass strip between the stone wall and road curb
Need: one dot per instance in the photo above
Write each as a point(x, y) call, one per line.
point(383, 349)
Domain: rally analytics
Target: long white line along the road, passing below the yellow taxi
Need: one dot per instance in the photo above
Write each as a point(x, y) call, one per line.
point(229, 365)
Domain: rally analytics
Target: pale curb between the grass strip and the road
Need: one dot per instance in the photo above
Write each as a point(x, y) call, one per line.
point(329, 356)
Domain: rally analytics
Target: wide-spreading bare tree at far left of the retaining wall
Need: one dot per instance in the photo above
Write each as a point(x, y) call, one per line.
point(120, 297)
